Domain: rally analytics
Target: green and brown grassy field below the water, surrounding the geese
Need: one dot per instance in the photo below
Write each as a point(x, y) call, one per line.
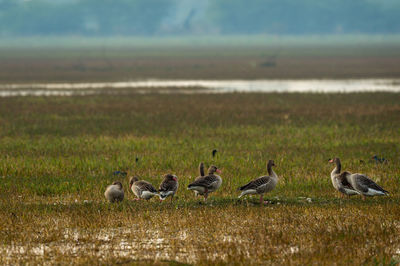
point(57, 155)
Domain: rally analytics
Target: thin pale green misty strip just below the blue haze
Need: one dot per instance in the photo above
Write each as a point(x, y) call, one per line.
point(195, 41)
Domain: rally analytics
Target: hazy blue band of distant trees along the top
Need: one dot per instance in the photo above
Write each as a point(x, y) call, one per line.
point(192, 17)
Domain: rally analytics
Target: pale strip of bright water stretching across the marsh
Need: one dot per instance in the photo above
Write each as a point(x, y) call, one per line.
point(200, 86)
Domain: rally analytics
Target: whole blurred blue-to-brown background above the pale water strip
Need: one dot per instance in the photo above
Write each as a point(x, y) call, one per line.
point(119, 40)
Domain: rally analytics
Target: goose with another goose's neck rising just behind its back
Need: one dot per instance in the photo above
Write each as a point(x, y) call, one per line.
point(203, 185)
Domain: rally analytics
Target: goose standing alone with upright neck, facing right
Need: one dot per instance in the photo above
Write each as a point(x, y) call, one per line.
point(262, 184)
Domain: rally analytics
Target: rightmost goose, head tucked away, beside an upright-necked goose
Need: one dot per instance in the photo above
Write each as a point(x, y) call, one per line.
point(363, 184)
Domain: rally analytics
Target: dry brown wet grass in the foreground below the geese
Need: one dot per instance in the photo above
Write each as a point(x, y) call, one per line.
point(340, 231)
